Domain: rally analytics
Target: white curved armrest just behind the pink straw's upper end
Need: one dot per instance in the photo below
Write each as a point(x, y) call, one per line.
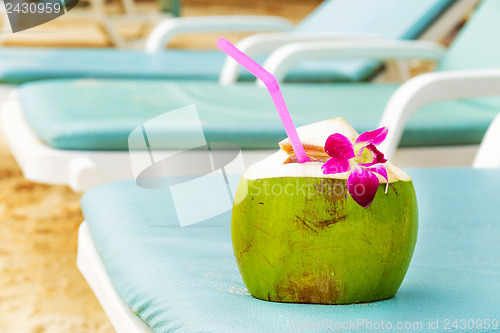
point(268, 42)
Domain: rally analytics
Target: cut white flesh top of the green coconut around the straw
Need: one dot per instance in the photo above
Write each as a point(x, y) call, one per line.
point(313, 138)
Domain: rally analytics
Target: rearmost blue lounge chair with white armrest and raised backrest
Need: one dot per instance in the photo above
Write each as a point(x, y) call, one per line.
point(332, 19)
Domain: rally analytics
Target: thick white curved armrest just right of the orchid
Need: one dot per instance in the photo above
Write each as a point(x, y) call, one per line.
point(433, 87)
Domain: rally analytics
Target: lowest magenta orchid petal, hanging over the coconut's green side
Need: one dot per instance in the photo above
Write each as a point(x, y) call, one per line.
point(362, 185)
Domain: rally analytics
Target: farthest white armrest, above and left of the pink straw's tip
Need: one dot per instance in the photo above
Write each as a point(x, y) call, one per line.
point(164, 31)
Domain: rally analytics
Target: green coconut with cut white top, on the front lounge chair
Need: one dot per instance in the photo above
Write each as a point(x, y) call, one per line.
point(299, 237)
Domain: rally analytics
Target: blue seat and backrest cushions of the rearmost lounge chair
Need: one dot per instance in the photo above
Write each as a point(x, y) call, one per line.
point(389, 18)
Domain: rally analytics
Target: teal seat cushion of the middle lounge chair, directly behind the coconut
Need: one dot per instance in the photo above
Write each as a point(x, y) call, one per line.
point(242, 114)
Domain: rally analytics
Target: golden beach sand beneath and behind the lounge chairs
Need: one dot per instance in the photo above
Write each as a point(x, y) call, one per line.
point(41, 289)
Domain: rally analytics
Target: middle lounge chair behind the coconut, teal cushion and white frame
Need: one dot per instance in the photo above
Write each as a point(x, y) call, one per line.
point(80, 137)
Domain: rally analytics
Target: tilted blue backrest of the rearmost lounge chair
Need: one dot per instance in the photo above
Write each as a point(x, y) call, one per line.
point(390, 18)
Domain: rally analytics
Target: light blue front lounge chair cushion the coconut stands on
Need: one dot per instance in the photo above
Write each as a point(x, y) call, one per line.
point(186, 279)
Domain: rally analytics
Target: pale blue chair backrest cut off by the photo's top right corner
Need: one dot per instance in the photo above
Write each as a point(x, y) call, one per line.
point(477, 45)
